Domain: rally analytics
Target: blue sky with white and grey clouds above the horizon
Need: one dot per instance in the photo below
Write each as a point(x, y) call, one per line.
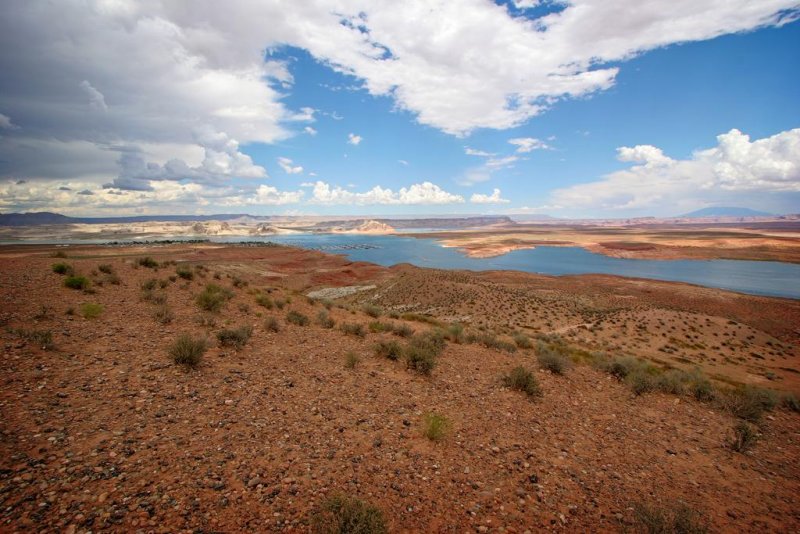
point(580, 109)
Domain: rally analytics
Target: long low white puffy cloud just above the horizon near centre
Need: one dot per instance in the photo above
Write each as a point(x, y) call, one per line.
point(424, 193)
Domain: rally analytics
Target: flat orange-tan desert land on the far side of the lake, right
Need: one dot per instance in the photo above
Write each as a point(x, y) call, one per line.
point(774, 240)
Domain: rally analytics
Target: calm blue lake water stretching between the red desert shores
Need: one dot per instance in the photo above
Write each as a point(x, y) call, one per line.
point(769, 278)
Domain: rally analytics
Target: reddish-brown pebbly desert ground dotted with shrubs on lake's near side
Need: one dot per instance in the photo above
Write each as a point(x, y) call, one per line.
point(648, 405)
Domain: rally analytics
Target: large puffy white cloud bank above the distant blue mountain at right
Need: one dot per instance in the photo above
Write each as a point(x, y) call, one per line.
point(764, 173)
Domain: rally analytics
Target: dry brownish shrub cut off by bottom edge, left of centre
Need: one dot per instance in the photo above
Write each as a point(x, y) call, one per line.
point(340, 514)
